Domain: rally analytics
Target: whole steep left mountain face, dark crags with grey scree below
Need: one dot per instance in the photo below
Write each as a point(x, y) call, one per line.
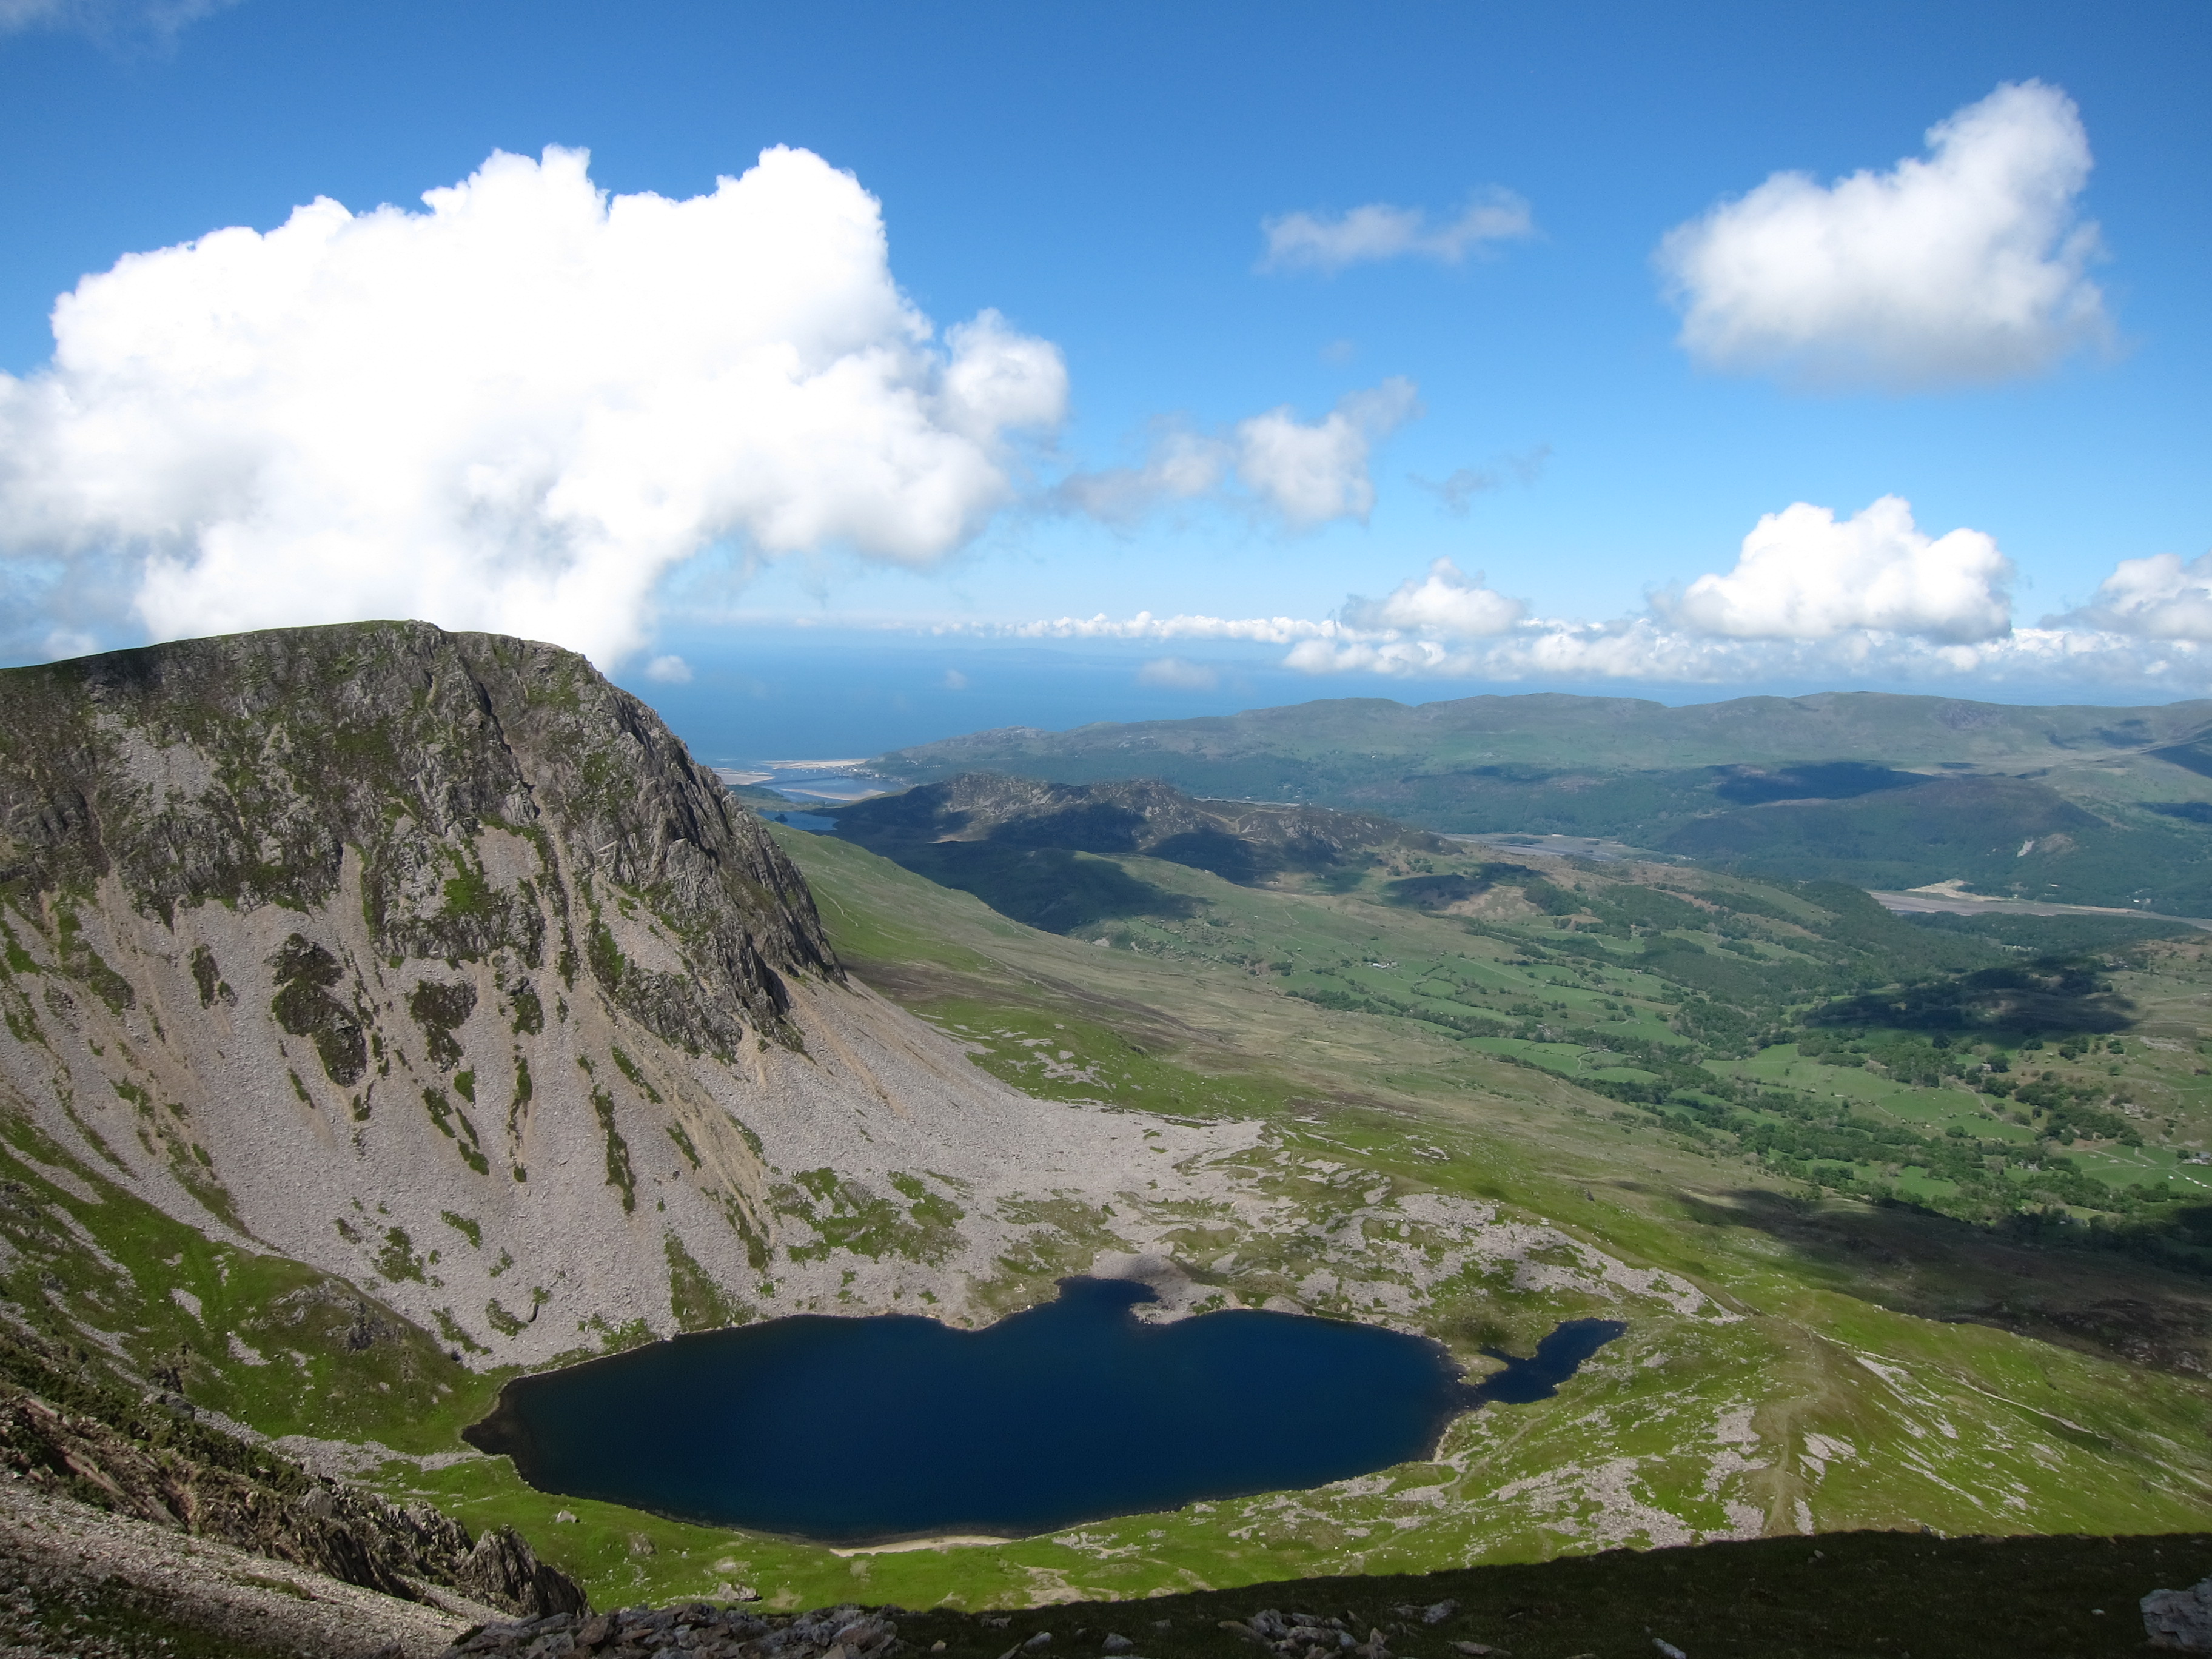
point(432, 961)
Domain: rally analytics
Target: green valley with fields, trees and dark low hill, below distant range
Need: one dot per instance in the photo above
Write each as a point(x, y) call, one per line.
point(1740, 1012)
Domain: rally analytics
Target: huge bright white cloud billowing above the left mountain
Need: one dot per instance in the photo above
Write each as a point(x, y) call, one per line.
point(517, 410)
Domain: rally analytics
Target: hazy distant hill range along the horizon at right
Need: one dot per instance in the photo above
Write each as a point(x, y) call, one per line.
point(2074, 804)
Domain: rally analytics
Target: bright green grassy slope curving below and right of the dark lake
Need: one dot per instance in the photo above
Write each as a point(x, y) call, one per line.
point(1795, 1359)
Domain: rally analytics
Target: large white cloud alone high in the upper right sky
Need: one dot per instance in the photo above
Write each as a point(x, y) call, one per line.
point(1954, 269)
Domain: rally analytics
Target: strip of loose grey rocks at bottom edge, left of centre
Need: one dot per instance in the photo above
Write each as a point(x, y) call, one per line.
point(698, 1629)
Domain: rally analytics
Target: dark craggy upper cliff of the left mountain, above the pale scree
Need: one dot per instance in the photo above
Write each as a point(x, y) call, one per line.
point(249, 771)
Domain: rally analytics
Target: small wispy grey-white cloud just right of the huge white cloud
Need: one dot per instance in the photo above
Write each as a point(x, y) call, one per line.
point(1302, 472)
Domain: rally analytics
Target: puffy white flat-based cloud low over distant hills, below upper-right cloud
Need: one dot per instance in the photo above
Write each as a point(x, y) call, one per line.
point(1808, 576)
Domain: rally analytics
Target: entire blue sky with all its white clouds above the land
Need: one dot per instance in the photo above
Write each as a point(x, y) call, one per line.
point(1154, 417)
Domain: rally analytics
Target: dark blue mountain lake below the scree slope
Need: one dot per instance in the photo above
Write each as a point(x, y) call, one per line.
point(870, 1430)
